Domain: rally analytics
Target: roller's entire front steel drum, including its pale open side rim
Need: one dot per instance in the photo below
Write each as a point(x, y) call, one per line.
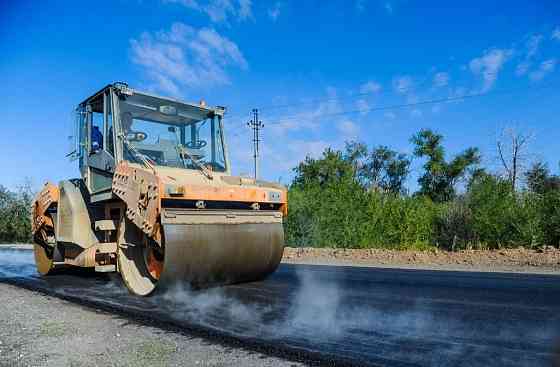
point(202, 249)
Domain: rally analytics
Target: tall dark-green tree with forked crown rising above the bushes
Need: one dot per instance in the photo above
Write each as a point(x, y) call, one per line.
point(440, 177)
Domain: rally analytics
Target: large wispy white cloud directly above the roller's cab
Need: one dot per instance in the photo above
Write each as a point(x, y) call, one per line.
point(186, 56)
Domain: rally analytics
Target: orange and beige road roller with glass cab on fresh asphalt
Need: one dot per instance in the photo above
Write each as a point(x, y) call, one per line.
point(156, 200)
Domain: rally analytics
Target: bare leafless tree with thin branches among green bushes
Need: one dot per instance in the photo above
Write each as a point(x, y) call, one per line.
point(511, 152)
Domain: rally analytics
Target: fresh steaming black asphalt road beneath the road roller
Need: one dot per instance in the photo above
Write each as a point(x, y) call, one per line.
point(346, 315)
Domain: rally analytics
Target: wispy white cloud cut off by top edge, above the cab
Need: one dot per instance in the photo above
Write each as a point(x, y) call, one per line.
point(219, 10)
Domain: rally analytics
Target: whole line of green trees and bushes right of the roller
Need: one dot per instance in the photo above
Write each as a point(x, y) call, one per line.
point(357, 197)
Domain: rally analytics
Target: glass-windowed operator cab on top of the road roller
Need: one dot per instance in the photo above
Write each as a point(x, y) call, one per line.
point(119, 123)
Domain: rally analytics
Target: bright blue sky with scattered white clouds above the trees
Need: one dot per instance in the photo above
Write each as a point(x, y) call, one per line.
point(305, 64)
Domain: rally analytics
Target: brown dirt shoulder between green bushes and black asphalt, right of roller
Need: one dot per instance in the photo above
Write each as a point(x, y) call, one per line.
point(546, 260)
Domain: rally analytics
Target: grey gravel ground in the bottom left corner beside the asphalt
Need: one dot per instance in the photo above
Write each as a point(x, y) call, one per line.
point(38, 330)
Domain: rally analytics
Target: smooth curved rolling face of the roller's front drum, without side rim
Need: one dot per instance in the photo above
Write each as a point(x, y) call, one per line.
point(207, 254)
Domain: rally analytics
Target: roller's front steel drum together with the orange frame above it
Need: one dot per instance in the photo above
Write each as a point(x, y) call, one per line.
point(201, 246)
